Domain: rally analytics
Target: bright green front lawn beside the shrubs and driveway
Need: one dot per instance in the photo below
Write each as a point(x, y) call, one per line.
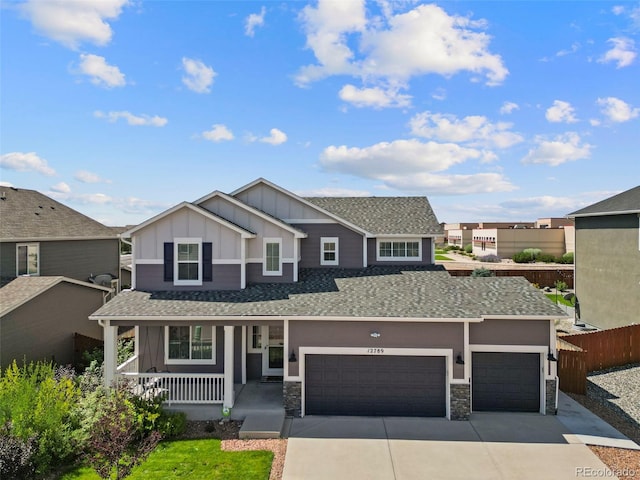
point(195, 460)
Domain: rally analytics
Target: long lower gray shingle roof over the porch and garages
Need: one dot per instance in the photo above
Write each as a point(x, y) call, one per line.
point(372, 292)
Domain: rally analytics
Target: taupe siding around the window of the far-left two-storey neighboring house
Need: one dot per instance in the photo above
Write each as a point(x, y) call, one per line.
point(76, 259)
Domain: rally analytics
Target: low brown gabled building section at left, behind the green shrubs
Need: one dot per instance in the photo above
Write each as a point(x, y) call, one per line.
point(39, 317)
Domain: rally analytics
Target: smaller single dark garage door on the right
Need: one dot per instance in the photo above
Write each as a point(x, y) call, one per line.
point(505, 382)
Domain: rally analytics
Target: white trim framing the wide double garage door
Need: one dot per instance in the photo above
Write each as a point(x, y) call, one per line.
point(377, 351)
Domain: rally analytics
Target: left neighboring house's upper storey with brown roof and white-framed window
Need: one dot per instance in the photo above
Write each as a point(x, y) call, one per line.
point(40, 236)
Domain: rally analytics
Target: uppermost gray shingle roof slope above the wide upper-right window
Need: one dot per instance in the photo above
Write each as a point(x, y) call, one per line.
point(384, 215)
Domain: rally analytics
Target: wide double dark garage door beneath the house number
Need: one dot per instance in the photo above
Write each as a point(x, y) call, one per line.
point(375, 385)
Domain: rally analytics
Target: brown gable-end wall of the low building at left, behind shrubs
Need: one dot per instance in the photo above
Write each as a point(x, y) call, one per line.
point(43, 328)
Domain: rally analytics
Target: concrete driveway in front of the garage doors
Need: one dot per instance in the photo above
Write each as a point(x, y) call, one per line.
point(489, 446)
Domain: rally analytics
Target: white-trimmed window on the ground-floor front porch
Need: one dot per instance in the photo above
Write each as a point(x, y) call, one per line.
point(190, 344)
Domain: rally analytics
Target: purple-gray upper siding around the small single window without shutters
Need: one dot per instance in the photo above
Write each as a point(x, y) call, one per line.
point(349, 245)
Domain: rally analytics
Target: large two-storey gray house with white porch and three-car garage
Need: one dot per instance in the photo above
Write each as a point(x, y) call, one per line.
point(338, 297)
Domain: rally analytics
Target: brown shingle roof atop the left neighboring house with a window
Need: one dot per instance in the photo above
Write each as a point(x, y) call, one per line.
point(28, 214)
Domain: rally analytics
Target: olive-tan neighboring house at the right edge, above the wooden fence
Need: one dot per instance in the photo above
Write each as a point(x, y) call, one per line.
point(607, 260)
